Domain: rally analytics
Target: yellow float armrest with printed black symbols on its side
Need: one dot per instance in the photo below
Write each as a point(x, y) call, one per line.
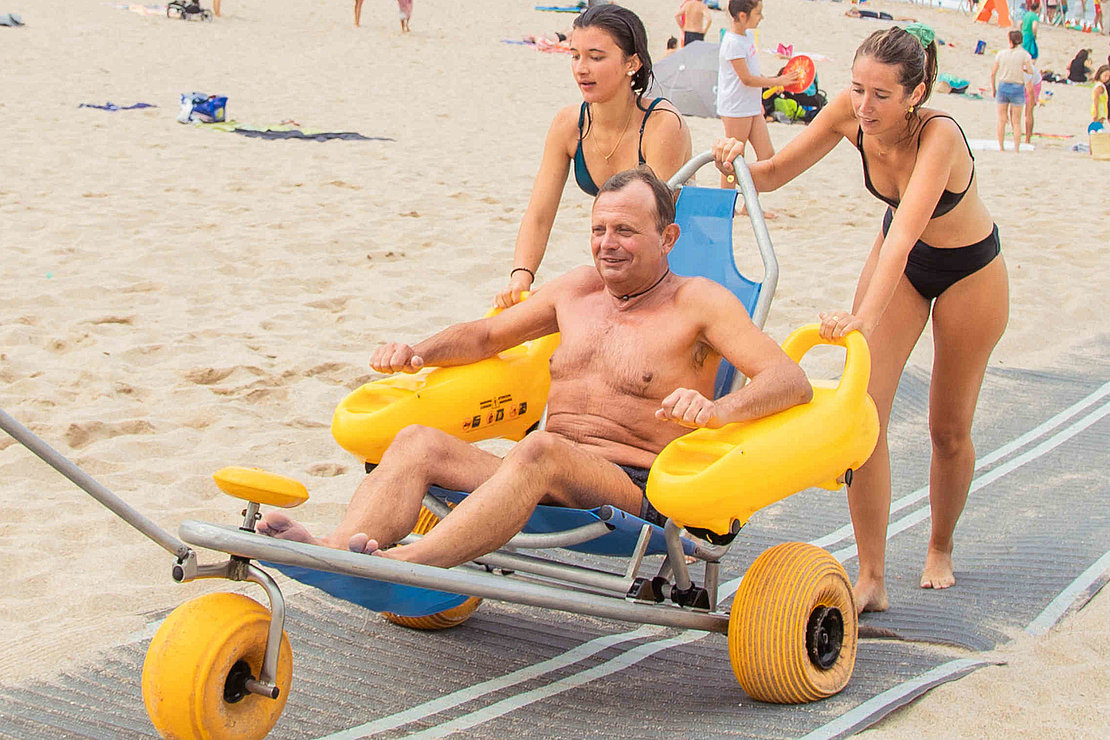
point(502, 397)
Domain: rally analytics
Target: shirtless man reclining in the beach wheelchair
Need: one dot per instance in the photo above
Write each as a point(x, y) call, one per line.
point(635, 369)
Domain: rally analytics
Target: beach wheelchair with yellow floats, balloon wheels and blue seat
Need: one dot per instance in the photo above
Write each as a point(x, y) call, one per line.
point(220, 666)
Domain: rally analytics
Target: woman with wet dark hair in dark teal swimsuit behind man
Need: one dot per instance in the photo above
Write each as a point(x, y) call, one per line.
point(614, 129)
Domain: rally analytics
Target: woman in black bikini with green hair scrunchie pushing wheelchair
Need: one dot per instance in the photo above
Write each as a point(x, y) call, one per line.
point(937, 252)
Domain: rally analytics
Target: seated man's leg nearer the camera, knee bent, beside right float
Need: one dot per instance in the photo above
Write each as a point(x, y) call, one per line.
point(542, 469)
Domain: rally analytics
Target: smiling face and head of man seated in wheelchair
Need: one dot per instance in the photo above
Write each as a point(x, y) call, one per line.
point(625, 241)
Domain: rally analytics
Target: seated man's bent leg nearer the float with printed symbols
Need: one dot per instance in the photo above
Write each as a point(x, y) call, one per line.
point(387, 504)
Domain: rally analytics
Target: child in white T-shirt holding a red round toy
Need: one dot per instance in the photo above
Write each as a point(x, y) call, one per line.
point(740, 84)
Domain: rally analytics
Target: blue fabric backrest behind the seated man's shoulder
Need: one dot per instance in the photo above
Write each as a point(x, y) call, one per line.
point(705, 250)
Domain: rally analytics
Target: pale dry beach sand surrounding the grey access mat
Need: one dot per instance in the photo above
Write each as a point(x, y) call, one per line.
point(178, 300)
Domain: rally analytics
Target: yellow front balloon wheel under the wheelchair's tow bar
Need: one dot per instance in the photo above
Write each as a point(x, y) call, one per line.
point(193, 678)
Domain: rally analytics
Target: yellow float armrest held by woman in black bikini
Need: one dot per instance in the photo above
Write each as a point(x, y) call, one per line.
point(710, 479)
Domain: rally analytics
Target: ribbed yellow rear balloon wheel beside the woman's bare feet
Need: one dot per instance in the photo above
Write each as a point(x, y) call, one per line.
point(793, 631)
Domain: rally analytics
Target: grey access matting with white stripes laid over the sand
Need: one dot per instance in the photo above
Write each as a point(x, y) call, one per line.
point(1024, 539)
